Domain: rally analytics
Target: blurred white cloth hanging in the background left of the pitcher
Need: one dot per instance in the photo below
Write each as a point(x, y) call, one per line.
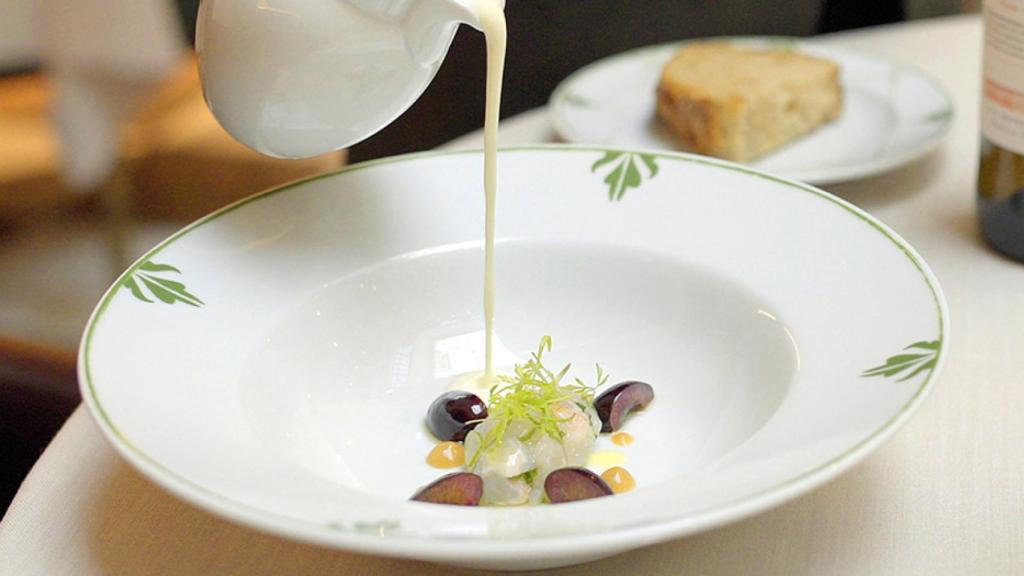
point(104, 58)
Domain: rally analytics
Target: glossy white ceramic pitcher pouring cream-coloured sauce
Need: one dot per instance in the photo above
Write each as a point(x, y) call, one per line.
point(297, 78)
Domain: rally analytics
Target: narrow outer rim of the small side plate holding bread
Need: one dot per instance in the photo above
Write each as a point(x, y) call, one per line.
point(815, 177)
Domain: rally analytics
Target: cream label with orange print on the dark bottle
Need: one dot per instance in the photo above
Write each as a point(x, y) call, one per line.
point(1003, 74)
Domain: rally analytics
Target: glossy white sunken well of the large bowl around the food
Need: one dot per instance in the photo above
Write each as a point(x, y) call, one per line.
point(342, 384)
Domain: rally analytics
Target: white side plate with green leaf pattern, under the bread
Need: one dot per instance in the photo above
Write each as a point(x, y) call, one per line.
point(893, 114)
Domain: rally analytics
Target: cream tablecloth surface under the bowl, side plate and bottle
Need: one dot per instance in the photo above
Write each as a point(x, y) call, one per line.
point(945, 497)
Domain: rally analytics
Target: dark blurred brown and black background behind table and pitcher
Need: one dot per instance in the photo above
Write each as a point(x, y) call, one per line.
point(549, 39)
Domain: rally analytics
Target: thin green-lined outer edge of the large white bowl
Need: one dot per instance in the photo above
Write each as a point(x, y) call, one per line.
point(442, 549)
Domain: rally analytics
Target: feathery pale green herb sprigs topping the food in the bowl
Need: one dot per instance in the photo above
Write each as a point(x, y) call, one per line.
point(530, 395)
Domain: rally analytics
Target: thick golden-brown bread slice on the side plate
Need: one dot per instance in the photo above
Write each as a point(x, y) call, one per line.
point(738, 103)
